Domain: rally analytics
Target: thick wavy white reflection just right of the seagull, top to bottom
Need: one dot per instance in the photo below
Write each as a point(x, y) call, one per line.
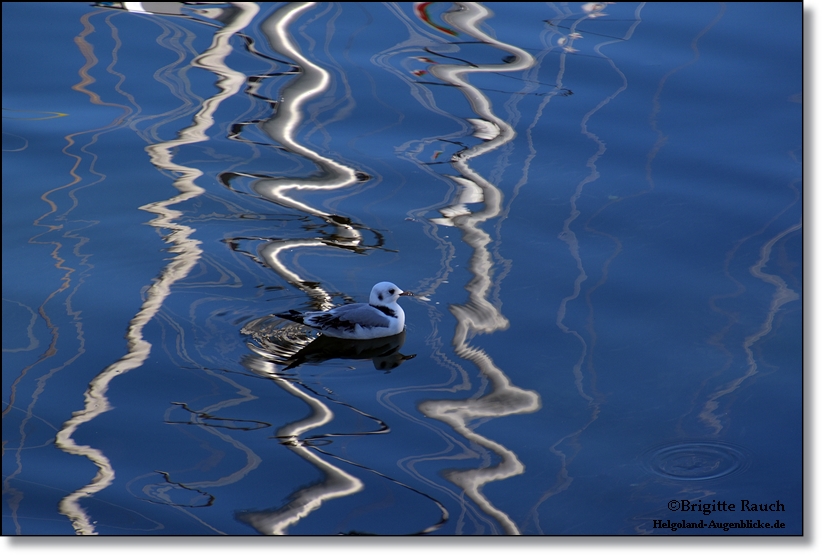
point(479, 314)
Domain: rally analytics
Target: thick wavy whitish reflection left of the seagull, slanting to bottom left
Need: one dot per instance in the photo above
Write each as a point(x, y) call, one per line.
point(188, 254)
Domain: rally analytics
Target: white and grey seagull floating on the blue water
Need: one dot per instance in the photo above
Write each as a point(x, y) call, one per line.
point(381, 316)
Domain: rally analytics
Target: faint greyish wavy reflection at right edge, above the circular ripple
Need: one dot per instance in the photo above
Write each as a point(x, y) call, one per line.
point(782, 294)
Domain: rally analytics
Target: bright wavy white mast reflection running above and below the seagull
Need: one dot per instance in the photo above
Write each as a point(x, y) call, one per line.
point(282, 127)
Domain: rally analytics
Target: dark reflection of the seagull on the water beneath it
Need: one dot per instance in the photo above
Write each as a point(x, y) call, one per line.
point(384, 352)
